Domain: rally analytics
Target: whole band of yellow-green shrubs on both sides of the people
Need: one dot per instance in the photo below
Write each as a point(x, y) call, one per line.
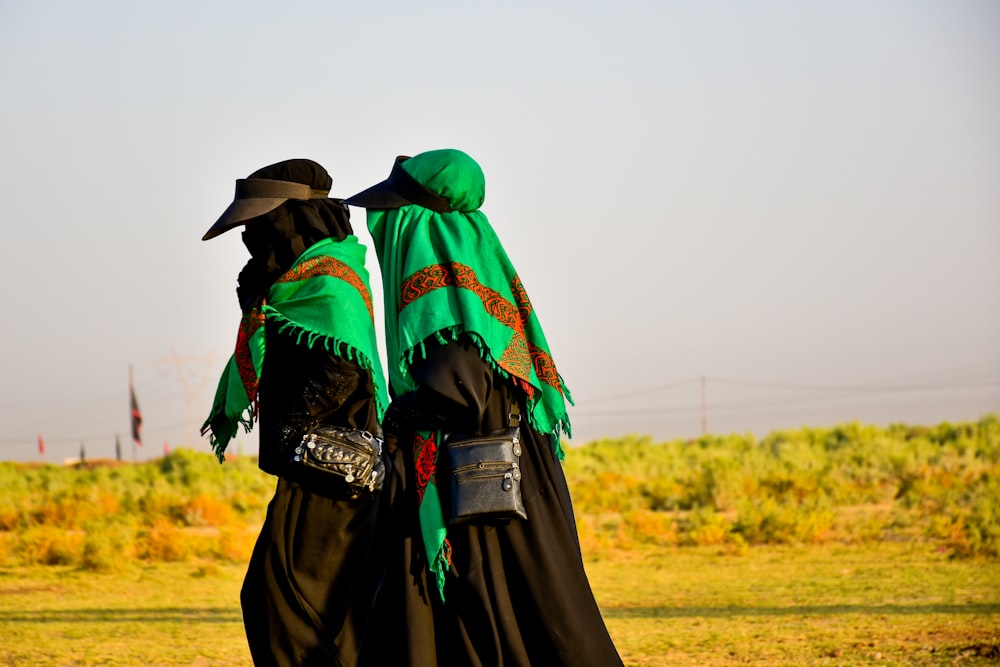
point(851, 483)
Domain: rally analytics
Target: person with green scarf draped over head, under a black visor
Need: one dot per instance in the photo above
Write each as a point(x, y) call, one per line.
point(464, 347)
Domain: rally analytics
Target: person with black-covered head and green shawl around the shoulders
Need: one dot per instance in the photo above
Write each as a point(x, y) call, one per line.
point(305, 355)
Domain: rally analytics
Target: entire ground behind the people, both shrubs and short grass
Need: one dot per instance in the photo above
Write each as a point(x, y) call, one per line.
point(848, 545)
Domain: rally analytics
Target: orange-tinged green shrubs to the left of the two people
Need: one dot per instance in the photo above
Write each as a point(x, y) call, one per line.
point(103, 513)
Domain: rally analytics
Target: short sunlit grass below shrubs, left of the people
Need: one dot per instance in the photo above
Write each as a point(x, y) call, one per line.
point(163, 614)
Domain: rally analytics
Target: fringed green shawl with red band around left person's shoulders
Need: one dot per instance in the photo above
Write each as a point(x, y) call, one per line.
point(325, 299)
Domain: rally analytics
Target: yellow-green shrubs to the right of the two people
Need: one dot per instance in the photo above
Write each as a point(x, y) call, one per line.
point(851, 482)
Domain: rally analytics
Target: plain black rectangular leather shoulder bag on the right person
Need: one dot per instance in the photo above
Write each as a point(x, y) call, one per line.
point(485, 473)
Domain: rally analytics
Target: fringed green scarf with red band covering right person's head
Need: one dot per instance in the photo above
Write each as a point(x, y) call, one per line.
point(445, 274)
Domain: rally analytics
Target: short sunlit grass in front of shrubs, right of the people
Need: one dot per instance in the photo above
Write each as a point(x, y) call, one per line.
point(877, 605)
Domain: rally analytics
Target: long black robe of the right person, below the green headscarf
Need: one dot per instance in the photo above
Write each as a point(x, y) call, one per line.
point(517, 593)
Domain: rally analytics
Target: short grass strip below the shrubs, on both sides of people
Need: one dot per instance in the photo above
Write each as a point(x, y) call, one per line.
point(880, 604)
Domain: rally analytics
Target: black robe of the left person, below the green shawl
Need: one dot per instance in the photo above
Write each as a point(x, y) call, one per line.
point(312, 576)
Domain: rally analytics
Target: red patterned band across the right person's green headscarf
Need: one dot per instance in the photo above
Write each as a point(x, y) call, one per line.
point(519, 356)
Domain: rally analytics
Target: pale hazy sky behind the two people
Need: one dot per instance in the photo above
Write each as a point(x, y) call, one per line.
point(797, 201)
